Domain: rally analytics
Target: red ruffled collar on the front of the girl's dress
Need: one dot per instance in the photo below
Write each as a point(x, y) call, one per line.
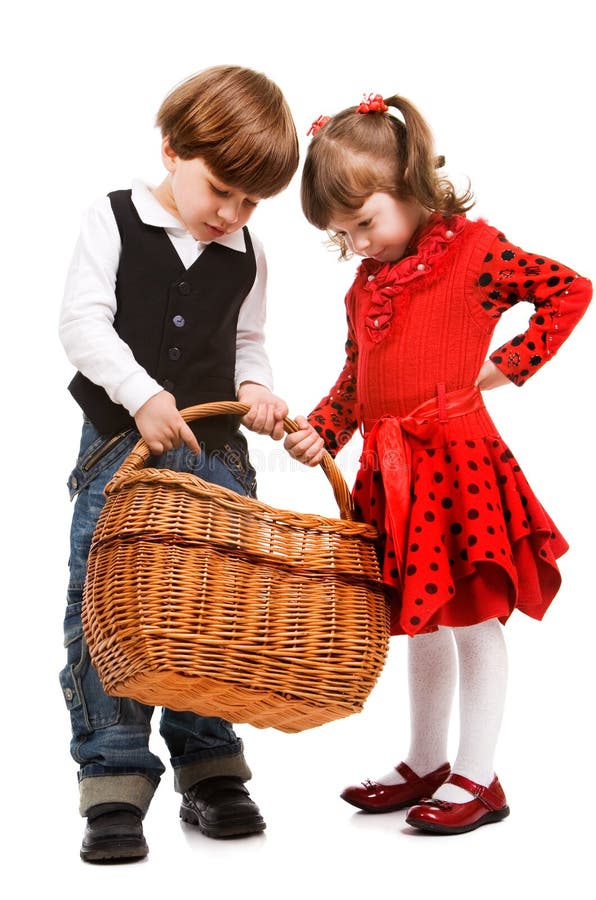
point(383, 282)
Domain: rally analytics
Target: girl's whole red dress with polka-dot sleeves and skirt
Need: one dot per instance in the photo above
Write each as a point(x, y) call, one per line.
point(462, 536)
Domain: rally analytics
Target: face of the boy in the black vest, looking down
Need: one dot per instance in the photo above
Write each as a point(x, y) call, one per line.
point(207, 207)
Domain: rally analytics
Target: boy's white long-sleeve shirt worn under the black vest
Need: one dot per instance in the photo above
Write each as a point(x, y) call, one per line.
point(89, 306)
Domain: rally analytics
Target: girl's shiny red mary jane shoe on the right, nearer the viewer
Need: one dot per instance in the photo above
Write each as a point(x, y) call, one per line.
point(440, 817)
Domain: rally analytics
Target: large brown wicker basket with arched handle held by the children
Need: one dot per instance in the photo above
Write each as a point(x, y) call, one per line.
point(201, 599)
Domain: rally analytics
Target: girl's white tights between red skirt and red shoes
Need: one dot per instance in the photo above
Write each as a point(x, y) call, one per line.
point(479, 652)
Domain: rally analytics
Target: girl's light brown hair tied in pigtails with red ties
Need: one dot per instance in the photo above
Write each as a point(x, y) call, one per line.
point(356, 154)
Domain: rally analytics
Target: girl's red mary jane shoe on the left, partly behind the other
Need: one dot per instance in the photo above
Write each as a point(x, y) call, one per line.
point(371, 796)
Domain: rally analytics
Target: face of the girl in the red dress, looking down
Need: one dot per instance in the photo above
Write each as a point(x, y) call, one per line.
point(382, 228)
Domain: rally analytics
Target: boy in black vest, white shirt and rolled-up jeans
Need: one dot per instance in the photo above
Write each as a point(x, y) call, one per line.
point(164, 308)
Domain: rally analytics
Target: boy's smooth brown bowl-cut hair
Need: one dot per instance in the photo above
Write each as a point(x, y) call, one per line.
point(238, 122)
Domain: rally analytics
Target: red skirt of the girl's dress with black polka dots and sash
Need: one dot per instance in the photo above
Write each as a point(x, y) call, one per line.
point(462, 537)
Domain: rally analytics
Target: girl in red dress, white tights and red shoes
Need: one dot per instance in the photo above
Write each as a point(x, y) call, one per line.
point(463, 540)
